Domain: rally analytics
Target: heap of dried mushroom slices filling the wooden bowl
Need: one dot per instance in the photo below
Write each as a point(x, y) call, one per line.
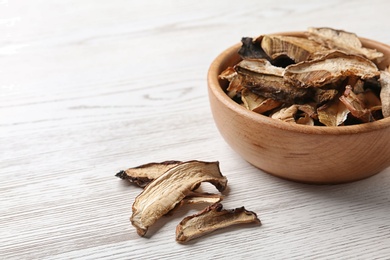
point(326, 78)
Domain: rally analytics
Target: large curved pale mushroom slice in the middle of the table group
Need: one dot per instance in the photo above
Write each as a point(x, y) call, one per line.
point(166, 191)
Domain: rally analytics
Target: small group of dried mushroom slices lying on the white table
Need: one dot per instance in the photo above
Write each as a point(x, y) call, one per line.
point(169, 184)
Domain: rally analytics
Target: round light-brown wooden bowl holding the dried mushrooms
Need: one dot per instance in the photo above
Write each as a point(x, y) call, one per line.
point(311, 154)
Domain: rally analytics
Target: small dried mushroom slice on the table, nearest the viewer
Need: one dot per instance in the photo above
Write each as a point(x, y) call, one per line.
point(212, 218)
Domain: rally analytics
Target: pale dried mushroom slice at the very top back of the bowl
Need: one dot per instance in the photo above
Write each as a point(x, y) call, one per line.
point(345, 41)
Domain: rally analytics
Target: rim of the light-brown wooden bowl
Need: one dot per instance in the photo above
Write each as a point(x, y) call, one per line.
point(215, 87)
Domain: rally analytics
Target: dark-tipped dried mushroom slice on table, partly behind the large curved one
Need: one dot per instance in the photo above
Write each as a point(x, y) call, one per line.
point(142, 175)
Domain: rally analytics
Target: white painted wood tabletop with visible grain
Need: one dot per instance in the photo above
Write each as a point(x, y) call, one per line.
point(89, 88)
